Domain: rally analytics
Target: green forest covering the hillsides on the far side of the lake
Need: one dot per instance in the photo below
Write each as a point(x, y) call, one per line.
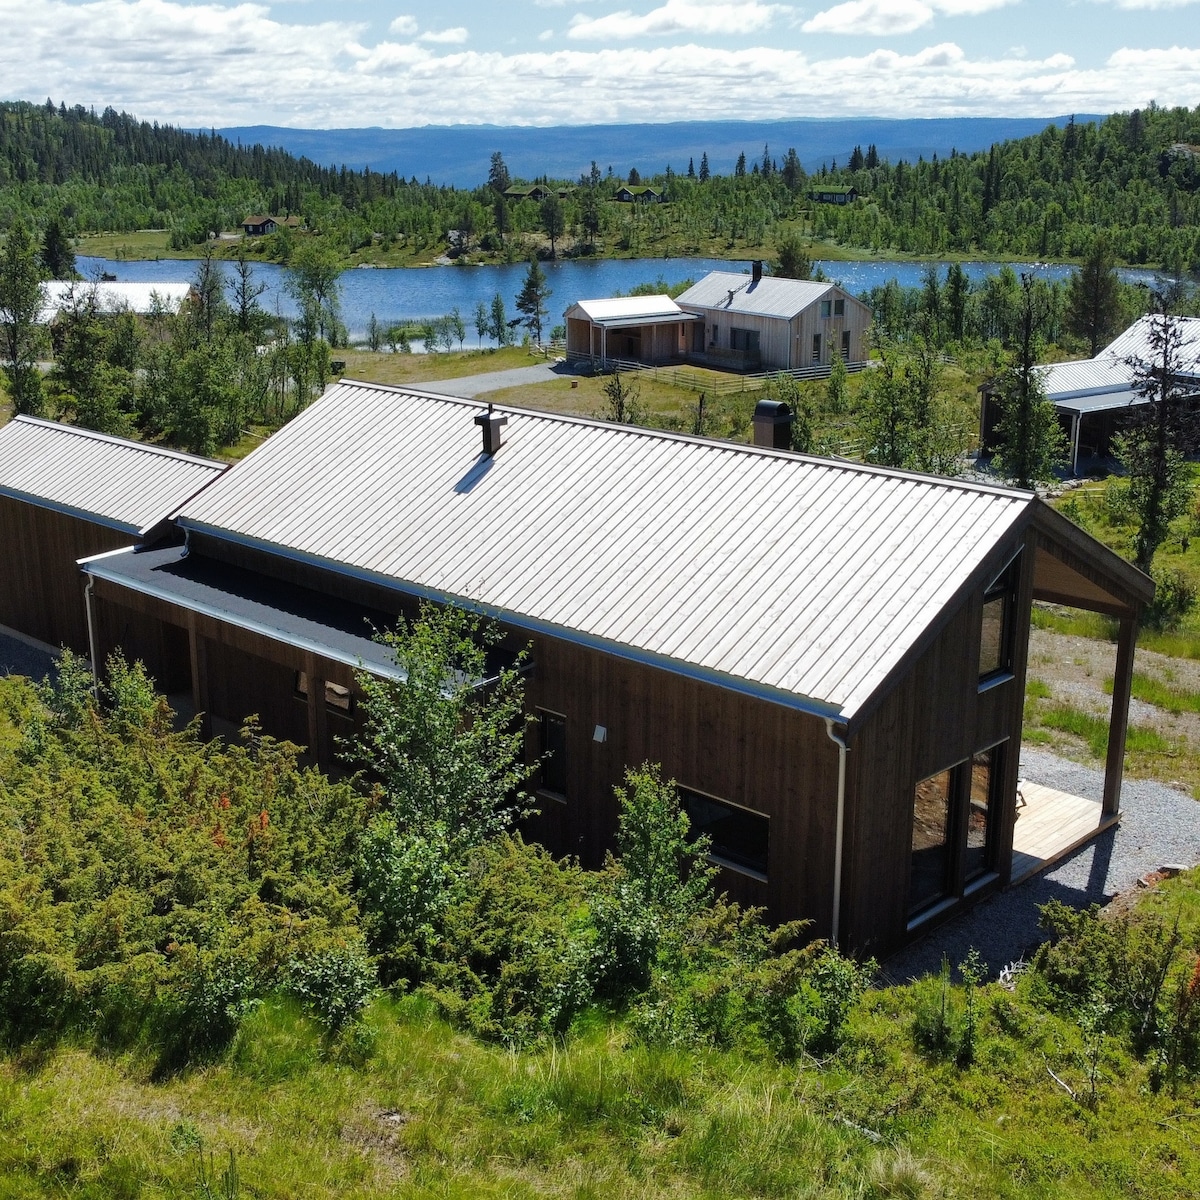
point(1133, 177)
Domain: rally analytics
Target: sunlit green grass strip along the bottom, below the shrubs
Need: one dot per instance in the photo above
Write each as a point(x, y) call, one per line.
point(411, 1108)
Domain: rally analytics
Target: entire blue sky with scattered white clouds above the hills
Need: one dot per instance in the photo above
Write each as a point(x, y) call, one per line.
point(321, 64)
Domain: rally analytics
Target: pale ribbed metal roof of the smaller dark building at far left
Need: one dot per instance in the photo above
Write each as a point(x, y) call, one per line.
point(127, 485)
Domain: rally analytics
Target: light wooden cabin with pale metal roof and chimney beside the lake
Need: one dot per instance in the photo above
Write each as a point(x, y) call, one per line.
point(745, 322)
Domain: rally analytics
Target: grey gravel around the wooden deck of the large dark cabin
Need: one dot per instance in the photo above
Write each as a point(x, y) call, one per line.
point(1159, 825)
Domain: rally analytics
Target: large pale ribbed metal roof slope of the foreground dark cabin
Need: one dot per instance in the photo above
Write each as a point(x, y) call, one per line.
point(801, 579)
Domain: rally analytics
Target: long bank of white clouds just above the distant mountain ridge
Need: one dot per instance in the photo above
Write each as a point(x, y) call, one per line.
point(208, 64)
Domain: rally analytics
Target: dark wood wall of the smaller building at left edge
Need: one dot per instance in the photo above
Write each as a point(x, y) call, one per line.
point(41, 589)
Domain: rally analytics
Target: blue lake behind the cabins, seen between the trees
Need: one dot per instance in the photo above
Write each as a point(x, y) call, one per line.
point(398, 295)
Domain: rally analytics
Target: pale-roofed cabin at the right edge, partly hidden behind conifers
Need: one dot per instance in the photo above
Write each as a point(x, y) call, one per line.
point(1094, 397)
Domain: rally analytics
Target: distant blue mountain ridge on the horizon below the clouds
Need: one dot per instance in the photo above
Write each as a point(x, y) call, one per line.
point(460, 154)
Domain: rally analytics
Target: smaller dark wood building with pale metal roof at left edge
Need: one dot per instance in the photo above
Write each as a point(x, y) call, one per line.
point(68, 494)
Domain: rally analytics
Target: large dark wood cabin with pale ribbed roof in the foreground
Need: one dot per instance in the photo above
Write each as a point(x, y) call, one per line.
point(737, 614)
